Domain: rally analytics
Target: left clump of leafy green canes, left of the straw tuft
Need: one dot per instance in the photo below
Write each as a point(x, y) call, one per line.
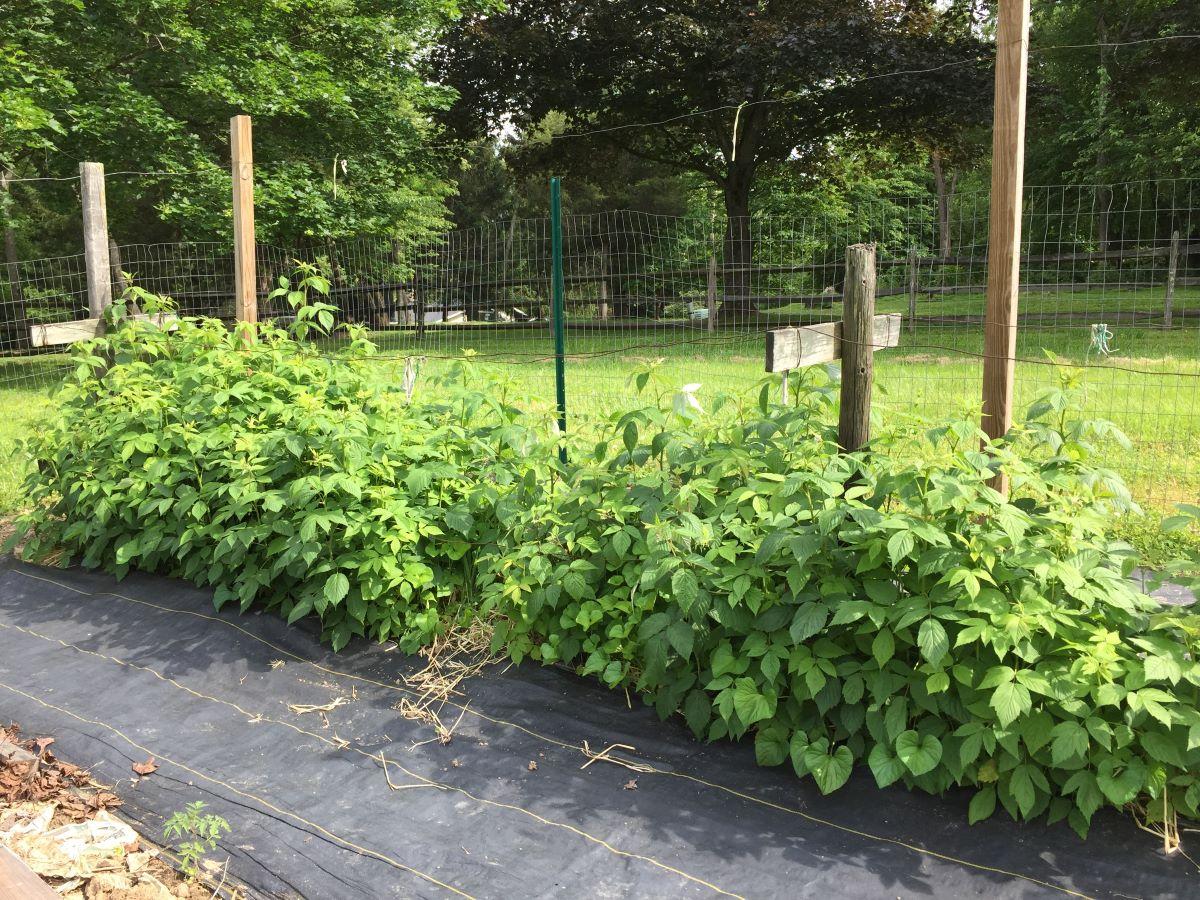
point(278, 472)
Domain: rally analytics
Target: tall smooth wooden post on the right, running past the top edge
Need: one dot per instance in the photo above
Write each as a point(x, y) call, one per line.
point(1005, 224)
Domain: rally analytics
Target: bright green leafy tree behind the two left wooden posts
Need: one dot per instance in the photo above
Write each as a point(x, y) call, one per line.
point(151, 87)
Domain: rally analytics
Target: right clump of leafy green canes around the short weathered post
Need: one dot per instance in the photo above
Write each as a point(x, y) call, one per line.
point(886, 608)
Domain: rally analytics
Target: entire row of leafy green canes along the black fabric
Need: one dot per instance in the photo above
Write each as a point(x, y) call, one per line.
point(885, 609)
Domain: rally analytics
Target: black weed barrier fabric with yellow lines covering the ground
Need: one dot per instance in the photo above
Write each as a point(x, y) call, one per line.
point(121, 671)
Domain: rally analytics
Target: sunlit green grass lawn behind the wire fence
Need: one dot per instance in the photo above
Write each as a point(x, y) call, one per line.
point(1150, 386)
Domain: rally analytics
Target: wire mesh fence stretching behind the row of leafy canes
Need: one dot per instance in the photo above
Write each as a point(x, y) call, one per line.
point(1111, 290)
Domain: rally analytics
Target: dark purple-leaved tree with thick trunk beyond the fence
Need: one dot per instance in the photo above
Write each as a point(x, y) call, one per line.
point(730, 87)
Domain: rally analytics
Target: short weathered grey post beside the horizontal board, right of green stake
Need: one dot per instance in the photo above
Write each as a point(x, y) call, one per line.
point(857, 349)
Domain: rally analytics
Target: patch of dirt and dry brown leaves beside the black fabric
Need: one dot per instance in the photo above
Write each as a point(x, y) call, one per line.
point(57, 820)
